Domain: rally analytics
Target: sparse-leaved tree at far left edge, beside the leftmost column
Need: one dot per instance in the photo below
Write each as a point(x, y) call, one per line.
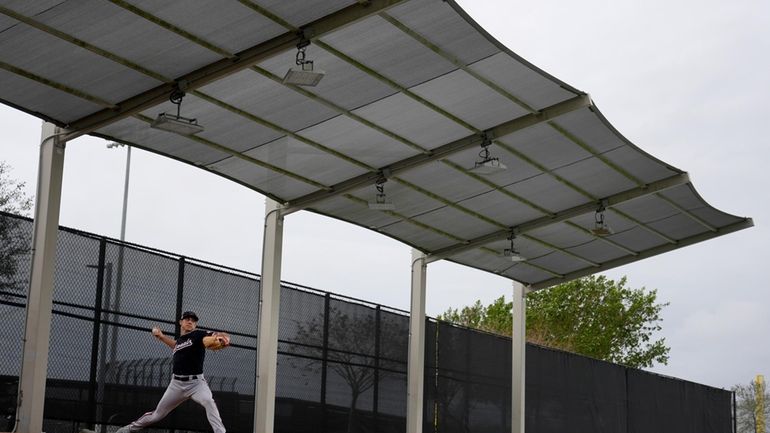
point(14, 244)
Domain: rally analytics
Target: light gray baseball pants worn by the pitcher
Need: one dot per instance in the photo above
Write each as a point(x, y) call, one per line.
point(177, 392)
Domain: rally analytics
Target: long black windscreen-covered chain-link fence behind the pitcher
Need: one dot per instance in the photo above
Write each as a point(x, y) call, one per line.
point(342, 363)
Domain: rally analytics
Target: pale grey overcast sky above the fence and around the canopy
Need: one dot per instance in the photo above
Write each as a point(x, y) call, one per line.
point(687, 81)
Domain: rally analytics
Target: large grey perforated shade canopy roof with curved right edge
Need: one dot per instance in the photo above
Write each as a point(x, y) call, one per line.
point(414, 93)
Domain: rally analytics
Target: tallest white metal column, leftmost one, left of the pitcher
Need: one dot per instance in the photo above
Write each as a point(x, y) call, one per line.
point(39, 298)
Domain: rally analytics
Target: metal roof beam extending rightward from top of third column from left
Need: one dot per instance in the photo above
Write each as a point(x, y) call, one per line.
point(564, 215)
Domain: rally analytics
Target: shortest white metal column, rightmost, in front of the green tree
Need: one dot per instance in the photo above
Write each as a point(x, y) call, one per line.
point(519, 342)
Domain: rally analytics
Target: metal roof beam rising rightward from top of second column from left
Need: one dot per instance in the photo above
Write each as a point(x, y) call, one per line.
point(444, 151)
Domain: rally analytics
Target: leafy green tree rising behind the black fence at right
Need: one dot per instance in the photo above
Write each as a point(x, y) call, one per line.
point(592, 316)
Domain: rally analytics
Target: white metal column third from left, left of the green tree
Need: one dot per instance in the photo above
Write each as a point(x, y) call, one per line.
point(416, 366)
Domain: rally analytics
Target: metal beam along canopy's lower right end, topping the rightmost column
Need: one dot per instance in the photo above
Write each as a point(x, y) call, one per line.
point(744, 224)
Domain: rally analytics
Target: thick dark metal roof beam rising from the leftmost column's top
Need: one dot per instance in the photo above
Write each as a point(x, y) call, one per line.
point(227, 66)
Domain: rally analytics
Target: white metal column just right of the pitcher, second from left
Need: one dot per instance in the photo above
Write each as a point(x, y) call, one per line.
point(269, 307)
